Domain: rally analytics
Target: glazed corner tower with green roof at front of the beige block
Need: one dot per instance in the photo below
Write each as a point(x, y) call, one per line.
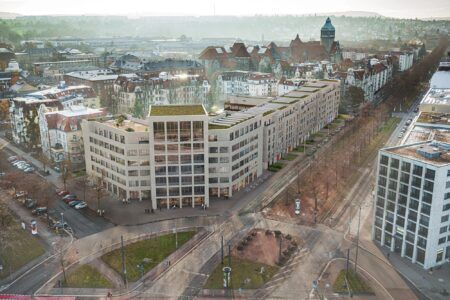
point(179, 152)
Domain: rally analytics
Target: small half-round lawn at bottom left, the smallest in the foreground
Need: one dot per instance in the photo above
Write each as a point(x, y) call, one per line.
point(86, 276)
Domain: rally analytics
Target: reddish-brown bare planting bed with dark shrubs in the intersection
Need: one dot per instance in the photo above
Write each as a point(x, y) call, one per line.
point(264, 247)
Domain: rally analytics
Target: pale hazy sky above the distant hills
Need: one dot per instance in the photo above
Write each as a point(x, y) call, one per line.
point(391, 8)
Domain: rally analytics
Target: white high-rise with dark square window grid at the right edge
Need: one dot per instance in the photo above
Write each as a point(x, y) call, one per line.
point(412, 205)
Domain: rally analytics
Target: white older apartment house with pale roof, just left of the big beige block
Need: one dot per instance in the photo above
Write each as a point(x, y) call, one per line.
point(60, 131)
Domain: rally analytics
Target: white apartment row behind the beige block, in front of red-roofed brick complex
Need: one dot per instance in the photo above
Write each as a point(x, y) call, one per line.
point(247, 83)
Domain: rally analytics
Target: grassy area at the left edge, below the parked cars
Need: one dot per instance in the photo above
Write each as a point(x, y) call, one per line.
point(19, 249)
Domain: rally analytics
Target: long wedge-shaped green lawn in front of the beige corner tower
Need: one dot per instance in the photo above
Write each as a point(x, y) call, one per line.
point(155, 249)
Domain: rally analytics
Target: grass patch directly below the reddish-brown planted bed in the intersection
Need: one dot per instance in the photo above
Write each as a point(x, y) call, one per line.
point(241, 270)
